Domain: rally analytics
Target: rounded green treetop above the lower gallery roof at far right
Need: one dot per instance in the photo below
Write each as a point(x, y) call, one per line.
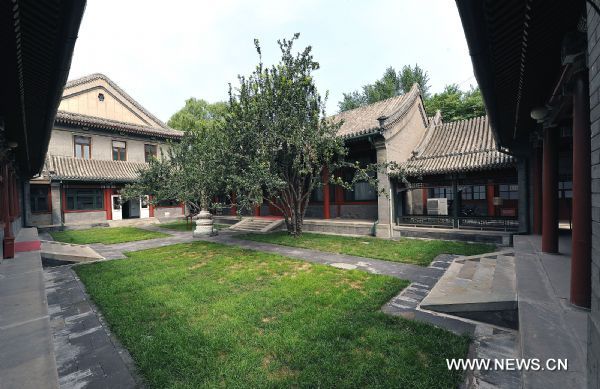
point(456, 104)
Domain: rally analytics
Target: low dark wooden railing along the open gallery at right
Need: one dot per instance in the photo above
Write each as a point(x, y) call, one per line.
point(496, 223)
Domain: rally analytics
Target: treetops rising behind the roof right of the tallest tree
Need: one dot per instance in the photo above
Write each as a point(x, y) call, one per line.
point(391, 84)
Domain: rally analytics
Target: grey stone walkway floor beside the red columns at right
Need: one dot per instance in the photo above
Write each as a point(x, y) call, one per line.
point(550, 327)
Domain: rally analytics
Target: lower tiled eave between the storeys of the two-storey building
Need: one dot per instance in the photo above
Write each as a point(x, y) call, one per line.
point(77, 169)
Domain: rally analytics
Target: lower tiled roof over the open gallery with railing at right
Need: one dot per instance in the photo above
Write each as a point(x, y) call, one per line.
point(460, 146)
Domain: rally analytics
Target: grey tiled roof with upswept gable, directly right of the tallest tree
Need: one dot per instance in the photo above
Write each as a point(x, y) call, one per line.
point(366, 120)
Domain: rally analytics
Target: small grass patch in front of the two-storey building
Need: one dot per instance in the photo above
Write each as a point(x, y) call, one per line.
point(106, 235)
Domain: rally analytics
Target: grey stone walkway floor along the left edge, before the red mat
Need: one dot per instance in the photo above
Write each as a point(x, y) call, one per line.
point(27, 358)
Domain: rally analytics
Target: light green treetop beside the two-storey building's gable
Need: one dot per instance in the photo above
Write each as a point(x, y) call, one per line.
point(197, 113)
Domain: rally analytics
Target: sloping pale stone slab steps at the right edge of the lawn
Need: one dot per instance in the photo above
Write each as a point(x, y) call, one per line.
point(479, 287)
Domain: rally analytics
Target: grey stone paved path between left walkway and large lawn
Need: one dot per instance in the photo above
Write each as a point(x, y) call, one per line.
point(87, 355)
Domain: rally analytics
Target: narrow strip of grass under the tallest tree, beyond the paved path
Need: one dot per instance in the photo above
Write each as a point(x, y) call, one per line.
point(413, 251)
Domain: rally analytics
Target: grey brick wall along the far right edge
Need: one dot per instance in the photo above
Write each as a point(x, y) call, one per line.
point(594, 317)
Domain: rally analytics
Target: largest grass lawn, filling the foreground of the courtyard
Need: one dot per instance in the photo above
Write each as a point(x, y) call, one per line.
point(207, 315)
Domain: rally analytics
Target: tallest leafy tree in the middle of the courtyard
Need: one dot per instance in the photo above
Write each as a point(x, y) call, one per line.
point(280, 139)
